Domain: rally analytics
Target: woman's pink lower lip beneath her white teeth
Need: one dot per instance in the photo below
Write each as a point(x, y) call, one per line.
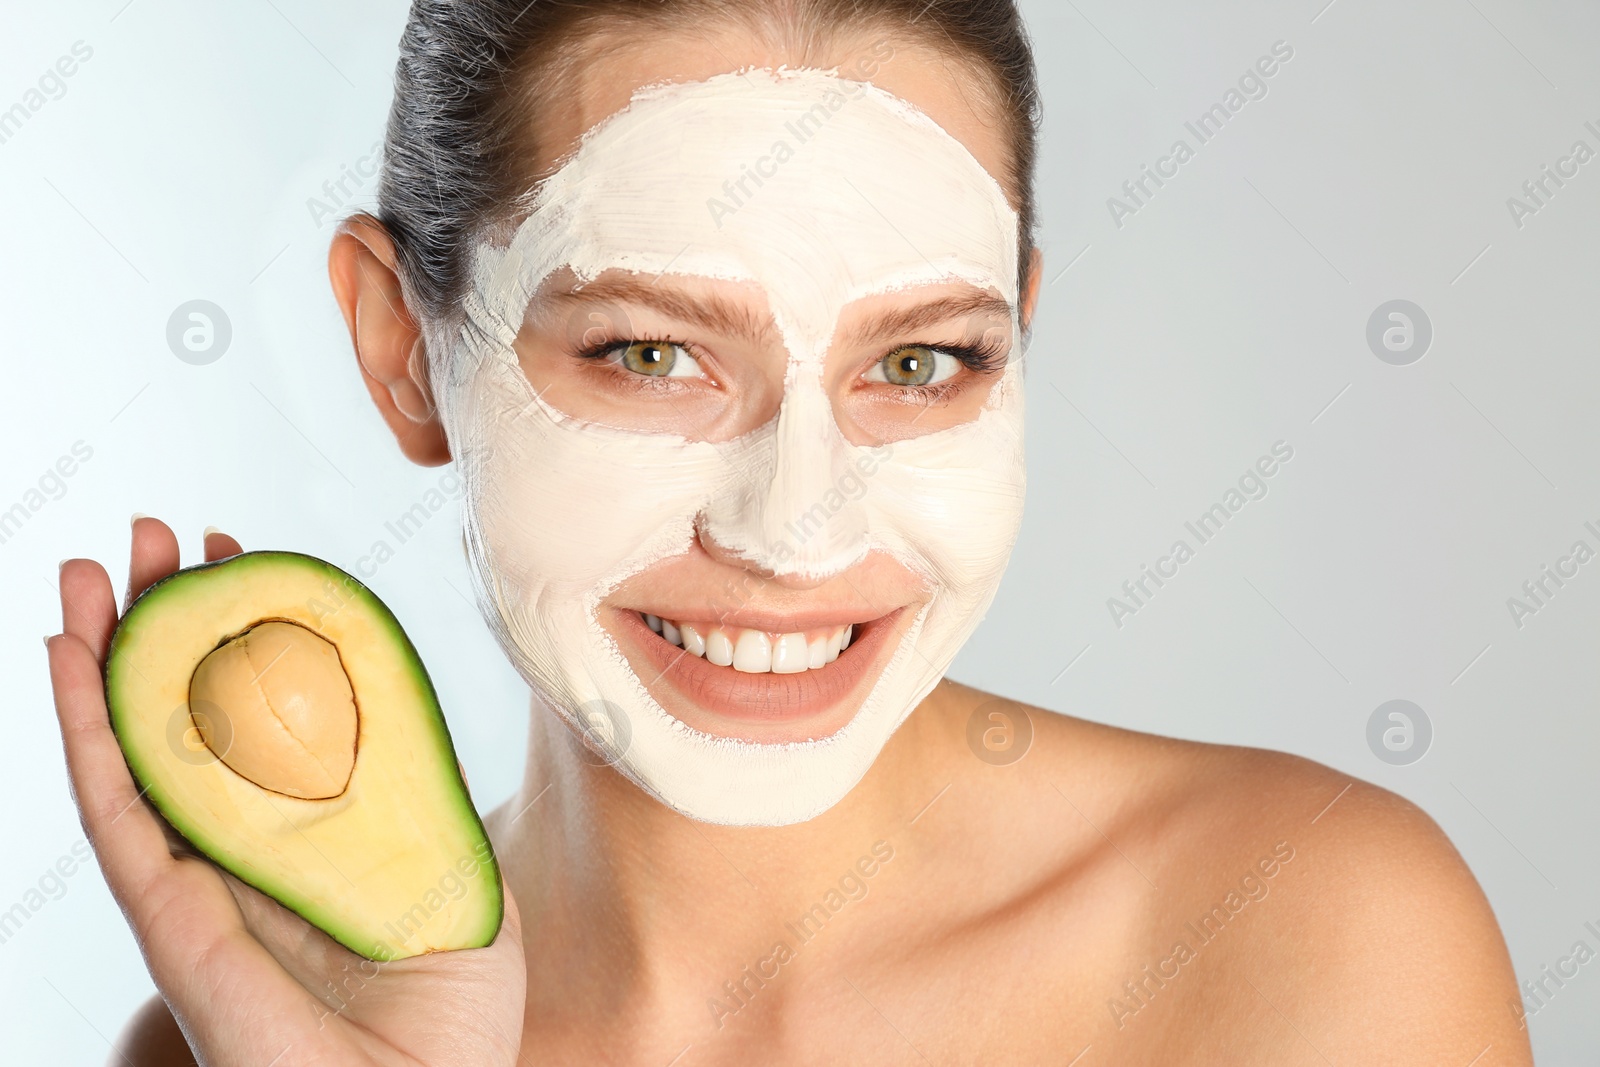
point(764, 698)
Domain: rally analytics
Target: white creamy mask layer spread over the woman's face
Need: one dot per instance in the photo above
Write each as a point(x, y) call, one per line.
point(858, 194)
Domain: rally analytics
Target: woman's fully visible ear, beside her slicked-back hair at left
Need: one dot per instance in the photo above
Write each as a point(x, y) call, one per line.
point(366, 276)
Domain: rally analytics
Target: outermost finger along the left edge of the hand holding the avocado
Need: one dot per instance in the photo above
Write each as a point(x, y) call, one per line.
point(127, 837)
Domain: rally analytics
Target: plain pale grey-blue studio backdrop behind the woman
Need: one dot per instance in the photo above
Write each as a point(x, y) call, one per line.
point(183, 159)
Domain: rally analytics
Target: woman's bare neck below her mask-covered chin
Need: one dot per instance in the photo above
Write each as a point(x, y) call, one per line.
point(628, 903)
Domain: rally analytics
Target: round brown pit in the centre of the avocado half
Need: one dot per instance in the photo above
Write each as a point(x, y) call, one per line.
point(290, 719)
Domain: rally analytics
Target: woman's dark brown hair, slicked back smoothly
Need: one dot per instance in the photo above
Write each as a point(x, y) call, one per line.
point(455, 154)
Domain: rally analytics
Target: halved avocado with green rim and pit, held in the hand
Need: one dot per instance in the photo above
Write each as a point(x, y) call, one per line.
point(226, 687)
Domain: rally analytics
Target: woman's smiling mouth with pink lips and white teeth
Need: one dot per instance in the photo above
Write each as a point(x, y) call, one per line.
point(754, 677)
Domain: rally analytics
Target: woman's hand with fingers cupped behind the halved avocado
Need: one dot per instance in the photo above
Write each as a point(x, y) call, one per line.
point(249, 981)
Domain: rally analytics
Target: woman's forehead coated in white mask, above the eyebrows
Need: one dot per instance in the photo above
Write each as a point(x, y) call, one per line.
point(818, 190)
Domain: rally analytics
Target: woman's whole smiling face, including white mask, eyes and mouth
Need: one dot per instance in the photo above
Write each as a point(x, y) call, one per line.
point(743, 434)
